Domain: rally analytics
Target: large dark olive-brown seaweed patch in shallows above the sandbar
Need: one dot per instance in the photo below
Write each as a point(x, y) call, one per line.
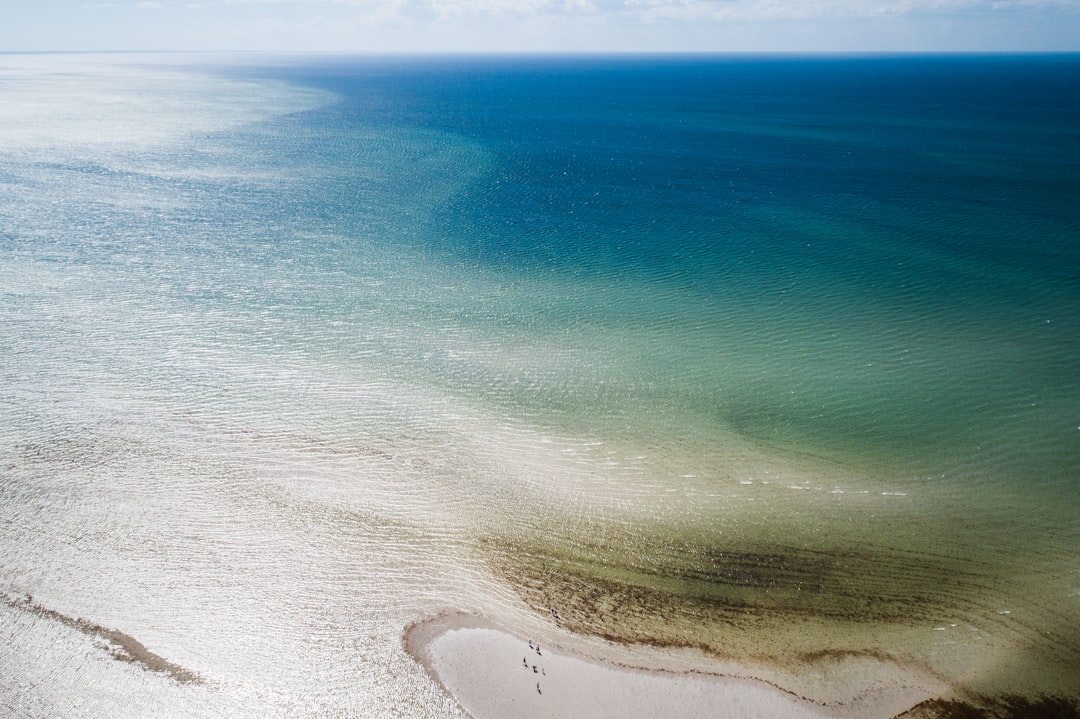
point(664, 580)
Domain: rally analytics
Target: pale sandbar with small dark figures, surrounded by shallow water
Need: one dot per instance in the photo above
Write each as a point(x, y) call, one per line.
point(494, 672)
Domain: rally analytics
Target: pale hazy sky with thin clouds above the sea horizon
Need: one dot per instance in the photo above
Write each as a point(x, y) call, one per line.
point(538, 26)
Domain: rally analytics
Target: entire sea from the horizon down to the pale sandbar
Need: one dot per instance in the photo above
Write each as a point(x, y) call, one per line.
point(776, 358)
